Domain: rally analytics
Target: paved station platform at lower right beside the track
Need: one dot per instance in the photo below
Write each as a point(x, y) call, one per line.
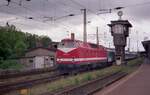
point(137, 83)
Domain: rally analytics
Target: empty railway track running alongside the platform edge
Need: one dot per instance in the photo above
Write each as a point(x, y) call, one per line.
point(90, 87)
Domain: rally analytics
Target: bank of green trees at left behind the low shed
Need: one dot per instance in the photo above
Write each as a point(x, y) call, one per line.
point(14, 43)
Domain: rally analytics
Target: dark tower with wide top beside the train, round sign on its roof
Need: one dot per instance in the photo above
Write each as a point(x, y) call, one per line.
point(120, 32)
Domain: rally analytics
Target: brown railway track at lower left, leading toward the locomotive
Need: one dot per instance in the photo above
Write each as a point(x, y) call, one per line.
point(4, 88)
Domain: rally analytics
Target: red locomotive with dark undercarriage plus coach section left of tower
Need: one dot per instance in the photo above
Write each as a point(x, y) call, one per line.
point(76, 55)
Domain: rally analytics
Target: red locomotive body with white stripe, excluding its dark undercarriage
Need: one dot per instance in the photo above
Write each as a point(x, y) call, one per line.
point(77, 52)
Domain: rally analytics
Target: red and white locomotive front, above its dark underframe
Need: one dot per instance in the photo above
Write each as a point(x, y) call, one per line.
point(66, 52)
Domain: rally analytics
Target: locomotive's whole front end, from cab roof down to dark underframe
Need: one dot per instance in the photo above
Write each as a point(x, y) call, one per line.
point(67, 53)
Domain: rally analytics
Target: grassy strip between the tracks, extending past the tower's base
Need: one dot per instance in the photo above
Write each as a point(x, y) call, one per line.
point(81, 78)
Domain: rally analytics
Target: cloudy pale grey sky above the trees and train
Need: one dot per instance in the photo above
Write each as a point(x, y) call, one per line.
point(50, 17)
